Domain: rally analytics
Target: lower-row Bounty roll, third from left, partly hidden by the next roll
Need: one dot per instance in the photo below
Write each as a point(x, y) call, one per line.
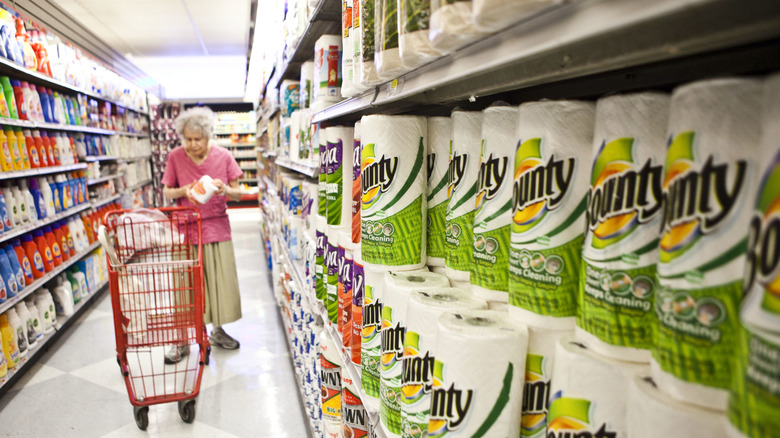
point(423, 312)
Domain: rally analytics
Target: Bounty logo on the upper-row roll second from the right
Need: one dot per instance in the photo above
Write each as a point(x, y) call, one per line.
point(696, 201)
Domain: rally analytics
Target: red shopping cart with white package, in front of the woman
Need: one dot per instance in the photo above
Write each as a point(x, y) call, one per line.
point(155, 274)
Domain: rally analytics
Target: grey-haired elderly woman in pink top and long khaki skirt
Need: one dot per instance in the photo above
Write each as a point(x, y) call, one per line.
point(186, 164)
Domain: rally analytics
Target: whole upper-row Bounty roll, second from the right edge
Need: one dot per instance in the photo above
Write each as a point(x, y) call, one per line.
point(709, 187)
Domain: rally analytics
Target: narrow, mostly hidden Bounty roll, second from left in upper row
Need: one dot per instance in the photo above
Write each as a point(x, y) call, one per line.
point(439, 137)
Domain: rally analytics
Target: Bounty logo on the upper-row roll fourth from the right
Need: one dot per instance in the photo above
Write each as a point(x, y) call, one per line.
point(537, 187)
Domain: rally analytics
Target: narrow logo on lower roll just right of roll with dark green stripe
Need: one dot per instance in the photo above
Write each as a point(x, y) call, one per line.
point(536, 393)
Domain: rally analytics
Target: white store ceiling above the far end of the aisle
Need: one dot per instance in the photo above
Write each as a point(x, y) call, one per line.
point(196, 49)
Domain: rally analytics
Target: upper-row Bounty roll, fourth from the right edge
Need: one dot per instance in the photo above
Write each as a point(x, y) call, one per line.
point(548, 220)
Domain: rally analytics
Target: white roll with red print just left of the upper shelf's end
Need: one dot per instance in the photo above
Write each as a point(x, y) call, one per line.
point(327, 69)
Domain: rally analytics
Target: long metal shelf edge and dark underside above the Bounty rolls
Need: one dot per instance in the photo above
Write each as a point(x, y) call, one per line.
point(586, 48)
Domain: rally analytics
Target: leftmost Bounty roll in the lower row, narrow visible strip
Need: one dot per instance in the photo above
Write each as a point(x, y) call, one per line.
point(372, 324)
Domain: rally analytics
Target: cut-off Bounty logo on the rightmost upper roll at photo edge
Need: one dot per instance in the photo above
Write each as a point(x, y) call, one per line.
point(763, 256)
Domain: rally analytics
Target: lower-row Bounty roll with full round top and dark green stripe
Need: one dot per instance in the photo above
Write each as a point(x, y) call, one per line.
point(478, 372)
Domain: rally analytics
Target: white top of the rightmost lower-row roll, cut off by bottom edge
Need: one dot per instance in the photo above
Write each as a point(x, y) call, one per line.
point(651, 414)
